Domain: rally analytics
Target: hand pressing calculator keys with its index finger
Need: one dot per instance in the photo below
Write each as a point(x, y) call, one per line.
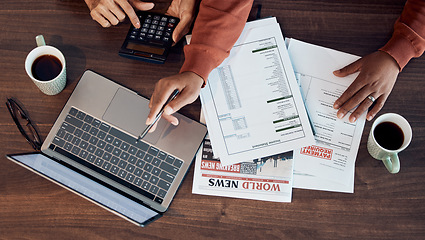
point(107, 12)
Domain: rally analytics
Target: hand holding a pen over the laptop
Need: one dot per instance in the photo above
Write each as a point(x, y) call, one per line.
point(188, 83)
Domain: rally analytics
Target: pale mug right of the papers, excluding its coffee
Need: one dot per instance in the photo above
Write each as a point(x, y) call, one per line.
point(387, 156)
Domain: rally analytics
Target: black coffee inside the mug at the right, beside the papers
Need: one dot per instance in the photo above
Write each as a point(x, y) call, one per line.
point(389, 135)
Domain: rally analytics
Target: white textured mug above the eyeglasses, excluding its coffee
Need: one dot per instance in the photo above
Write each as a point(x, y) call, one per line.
point(55, 85)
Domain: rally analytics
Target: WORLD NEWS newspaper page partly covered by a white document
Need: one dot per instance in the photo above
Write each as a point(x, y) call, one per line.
point(266, 179)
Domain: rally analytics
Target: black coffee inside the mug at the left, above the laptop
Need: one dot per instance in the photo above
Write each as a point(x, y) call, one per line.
point(46, 67)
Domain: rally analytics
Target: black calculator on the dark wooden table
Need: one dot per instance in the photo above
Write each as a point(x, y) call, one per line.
point(152, 41)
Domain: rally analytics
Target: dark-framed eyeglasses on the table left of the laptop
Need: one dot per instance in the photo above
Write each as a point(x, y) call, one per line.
point(32, 135)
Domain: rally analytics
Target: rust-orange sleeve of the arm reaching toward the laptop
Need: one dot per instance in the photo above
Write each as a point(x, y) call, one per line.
point(216, 29)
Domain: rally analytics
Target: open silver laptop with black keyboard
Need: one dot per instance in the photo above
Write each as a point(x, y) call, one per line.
point(93, 151)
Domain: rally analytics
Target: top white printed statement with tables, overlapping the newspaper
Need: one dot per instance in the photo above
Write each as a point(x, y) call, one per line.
point(252, 103)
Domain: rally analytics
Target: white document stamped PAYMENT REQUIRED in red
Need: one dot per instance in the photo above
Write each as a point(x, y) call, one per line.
point(328, 164)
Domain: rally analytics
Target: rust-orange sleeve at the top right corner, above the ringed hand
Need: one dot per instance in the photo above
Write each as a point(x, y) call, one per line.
point(408, 39)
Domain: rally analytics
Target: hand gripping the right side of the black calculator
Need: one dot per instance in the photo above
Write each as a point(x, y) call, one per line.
point(185, 10)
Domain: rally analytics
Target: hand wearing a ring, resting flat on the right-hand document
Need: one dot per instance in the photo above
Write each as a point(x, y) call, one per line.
point(378, 73)
